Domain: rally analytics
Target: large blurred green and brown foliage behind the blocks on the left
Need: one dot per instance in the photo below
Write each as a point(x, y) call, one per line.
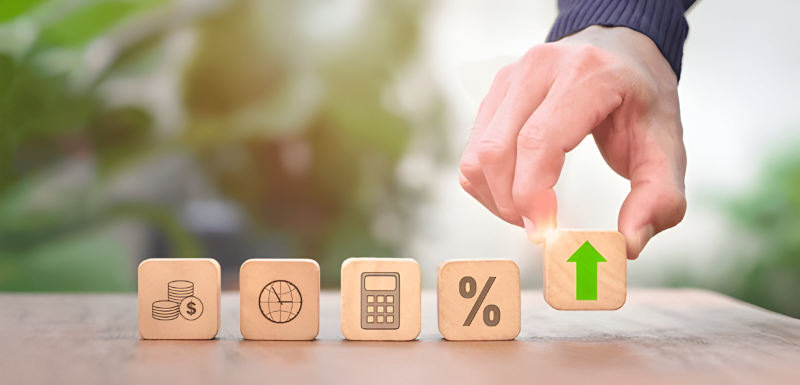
point(286, 129)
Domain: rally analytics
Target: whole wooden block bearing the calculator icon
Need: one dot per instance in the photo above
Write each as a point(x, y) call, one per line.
point(381, 299)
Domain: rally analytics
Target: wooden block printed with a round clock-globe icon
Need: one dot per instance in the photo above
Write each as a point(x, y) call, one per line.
point(279, 299)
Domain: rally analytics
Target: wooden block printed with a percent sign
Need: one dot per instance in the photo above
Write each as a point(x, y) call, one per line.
point(479, 300)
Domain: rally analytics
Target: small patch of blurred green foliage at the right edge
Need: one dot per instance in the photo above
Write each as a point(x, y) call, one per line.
point(760, 263)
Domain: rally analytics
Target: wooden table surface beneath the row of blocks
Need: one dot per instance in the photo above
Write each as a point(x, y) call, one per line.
point(659, 336)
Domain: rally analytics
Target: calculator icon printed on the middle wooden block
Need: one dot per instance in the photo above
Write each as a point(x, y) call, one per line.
point(380, 301)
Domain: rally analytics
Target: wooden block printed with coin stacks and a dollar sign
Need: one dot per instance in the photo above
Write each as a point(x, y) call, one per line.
point(179, 299)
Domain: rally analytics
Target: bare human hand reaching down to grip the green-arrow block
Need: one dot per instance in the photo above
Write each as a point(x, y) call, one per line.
point(612, 83)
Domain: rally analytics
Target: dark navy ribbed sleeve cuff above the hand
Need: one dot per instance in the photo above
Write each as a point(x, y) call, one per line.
point(660, 20)
